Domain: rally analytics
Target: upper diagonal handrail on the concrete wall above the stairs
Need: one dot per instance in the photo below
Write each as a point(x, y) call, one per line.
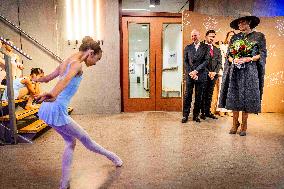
point(55, 56)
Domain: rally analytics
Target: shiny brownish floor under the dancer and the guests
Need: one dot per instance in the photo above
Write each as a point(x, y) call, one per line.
point(158, 152)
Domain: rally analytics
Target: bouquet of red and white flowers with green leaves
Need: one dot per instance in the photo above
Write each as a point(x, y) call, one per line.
point(241, 48)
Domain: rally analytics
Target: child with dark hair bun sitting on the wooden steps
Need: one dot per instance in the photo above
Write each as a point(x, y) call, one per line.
point(25, 86)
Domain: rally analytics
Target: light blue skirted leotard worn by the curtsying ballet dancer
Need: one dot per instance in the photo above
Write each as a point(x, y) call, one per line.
point(55, 113)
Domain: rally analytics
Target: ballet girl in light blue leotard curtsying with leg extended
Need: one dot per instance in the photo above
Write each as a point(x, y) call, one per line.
point(53, 110)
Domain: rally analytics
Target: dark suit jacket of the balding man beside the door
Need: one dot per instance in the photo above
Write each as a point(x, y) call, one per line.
point(196, 60)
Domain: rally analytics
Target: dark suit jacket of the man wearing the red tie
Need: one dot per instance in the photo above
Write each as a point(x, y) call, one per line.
point(215, 62)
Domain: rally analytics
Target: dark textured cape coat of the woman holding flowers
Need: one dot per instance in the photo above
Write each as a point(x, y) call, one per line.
point(242, 89)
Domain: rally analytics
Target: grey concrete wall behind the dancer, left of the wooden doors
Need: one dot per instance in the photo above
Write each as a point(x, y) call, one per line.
point(100, 88)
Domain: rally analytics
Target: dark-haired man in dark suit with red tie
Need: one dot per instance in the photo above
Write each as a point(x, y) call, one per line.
point(212, 70)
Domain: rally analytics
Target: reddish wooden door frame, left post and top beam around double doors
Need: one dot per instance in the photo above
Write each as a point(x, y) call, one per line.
point(135, 14)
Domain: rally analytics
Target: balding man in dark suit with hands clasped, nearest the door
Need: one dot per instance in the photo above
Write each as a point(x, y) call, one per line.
point(196, 57)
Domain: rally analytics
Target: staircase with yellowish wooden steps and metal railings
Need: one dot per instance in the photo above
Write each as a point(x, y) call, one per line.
point(19, 125)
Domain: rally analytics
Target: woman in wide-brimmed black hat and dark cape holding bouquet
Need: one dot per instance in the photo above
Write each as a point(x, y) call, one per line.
point(243, 77)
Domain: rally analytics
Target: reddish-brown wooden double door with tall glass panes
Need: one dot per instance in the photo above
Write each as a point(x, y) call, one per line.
point(151, 74)
